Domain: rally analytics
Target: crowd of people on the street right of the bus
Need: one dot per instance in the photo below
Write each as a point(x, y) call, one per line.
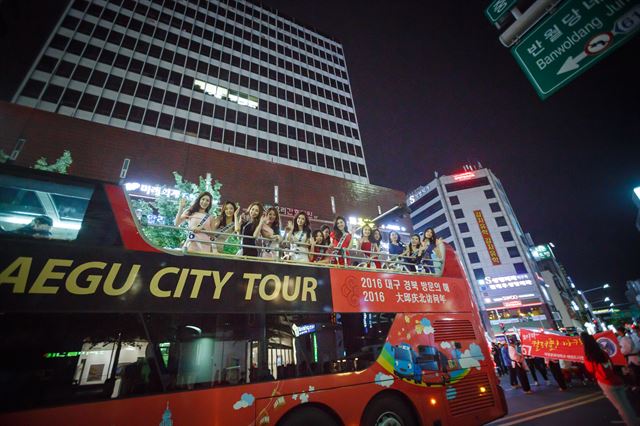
point(615, 381)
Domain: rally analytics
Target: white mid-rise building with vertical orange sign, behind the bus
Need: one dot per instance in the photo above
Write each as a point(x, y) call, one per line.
point(471, 211)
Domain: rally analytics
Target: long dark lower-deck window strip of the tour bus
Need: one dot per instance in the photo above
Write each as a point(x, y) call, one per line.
point(70, 358)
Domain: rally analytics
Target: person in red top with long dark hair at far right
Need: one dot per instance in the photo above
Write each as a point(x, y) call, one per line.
point(598, 364)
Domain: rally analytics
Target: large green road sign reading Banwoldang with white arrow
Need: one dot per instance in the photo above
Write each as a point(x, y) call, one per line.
point(571, 40)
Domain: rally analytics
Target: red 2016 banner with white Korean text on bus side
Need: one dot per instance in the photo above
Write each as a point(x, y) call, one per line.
point(356, 291)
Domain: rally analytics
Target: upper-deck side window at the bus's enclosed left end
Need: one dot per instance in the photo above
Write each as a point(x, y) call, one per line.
point(45, 209)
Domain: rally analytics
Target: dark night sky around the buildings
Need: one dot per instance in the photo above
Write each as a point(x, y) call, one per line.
point(434, 89)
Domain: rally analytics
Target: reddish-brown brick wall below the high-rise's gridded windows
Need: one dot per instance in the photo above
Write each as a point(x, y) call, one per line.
point(98, 151)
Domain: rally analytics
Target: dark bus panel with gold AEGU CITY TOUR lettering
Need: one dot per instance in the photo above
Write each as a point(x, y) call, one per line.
point(47, 277)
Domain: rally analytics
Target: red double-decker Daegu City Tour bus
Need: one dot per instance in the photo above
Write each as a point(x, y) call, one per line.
point(100, 327)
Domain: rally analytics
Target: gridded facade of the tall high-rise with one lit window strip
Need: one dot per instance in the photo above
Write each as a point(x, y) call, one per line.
point(223, 74)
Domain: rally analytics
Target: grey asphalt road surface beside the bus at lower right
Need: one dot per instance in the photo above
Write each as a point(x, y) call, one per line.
point(548, 406)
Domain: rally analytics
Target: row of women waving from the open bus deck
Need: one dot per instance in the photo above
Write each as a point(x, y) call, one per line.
point(256, 231)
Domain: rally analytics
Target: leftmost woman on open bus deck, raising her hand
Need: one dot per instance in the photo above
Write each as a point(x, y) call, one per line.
point(198, 220)
